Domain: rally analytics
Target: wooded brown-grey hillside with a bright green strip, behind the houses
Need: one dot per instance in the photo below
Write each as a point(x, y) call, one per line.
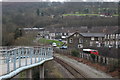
point(55, 14)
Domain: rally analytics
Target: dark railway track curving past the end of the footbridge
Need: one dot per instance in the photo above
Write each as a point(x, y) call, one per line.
point(70, 68)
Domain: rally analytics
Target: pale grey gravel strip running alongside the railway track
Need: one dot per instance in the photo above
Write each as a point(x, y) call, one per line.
point(85, 70)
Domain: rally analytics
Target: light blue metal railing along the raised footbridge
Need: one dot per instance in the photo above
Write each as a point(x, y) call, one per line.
point(12, 59)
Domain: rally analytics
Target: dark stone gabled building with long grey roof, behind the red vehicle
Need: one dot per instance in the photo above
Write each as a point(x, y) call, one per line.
point(83, 40)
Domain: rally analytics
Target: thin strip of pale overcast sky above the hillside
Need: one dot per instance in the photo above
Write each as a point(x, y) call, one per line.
point(60, 0)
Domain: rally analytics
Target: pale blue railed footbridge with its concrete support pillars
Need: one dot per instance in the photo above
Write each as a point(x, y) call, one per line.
point(14, 61)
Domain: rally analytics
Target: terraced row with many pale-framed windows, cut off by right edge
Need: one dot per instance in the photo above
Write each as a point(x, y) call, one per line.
point(112, 39)
